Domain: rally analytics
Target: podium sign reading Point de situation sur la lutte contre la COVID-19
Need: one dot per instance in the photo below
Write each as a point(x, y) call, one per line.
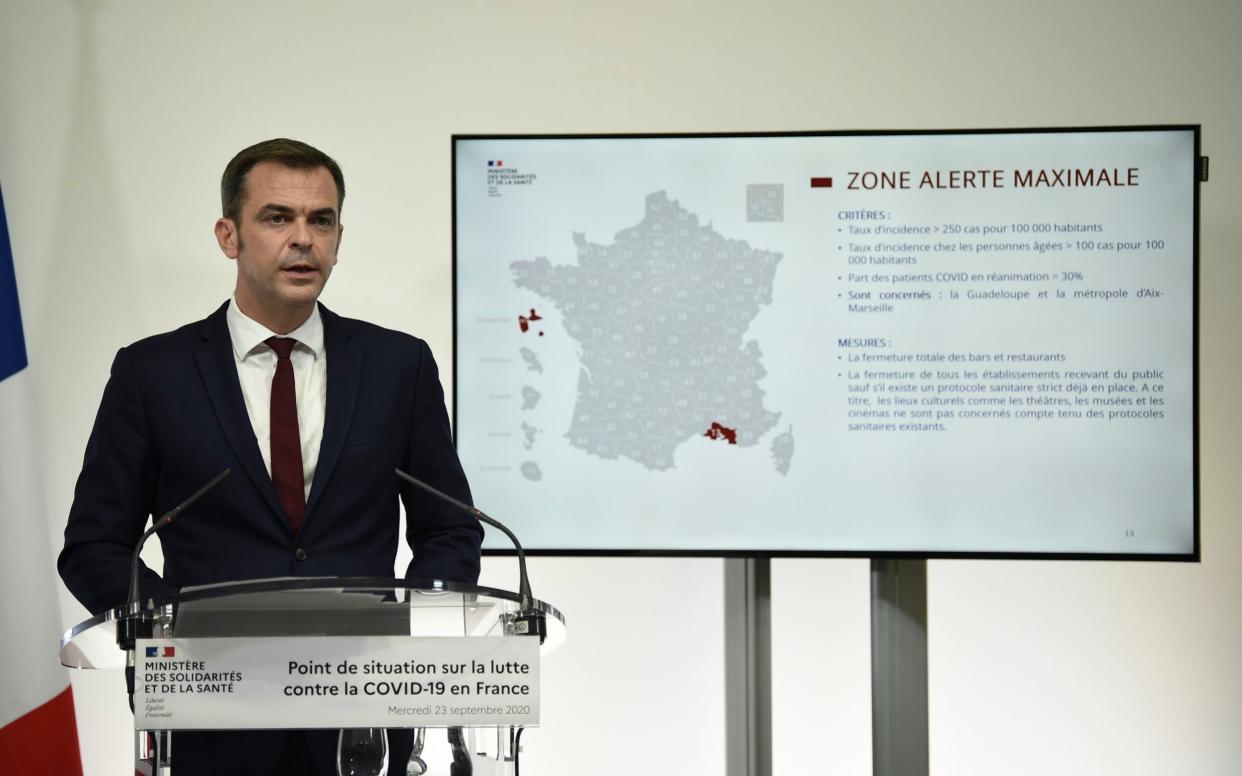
point(240, 684)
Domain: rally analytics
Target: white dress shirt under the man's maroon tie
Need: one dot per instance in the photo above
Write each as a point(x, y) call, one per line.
point(256, 367)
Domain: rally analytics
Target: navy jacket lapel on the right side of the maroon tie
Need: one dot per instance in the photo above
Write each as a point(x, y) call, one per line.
point(346, 356)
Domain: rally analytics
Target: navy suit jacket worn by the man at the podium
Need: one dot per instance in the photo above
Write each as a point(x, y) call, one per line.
point(173, 418)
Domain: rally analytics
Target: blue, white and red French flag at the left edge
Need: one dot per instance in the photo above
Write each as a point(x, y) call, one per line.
point(38, 728)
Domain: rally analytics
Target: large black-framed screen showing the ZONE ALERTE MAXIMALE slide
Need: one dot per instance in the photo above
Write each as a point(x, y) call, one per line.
point(938, 343)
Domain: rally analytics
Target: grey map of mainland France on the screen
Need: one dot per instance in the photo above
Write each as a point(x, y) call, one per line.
point(661, 316)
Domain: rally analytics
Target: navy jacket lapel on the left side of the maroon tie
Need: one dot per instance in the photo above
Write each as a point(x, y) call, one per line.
point(219, 371)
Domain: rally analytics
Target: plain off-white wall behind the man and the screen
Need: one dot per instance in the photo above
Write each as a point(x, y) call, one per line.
point(117, 117)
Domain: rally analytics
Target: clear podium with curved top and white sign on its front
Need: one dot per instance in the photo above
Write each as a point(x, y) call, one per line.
point(357, 655)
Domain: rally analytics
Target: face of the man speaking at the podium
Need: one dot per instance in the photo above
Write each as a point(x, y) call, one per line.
point(285, 244)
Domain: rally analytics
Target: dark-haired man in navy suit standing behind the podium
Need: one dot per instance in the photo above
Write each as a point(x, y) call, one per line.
point(311, 410)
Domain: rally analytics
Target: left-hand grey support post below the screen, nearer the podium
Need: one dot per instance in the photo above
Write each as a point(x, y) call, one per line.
point(748, 696)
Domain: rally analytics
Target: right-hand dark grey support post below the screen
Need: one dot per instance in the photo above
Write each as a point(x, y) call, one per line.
point(900, 667)
